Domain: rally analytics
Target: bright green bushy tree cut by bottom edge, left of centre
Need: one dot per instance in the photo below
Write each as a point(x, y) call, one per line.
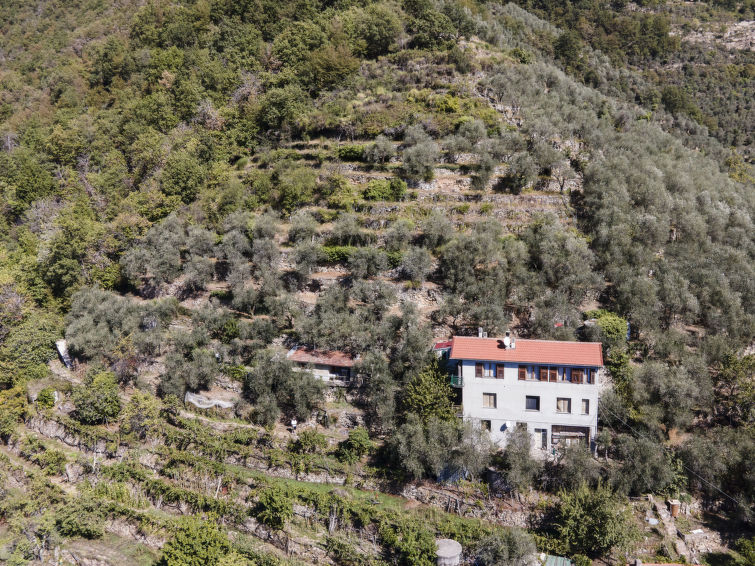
point(197, 542)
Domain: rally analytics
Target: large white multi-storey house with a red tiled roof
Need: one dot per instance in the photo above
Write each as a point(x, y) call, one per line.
point(550, 387)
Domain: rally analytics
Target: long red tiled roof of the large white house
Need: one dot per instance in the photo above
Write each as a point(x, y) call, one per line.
point(528, 351)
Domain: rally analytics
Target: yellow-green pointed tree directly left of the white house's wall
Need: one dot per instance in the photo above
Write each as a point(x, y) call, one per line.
point(428, 394)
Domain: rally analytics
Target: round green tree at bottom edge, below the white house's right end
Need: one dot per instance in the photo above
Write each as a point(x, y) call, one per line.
point(592, 521)
